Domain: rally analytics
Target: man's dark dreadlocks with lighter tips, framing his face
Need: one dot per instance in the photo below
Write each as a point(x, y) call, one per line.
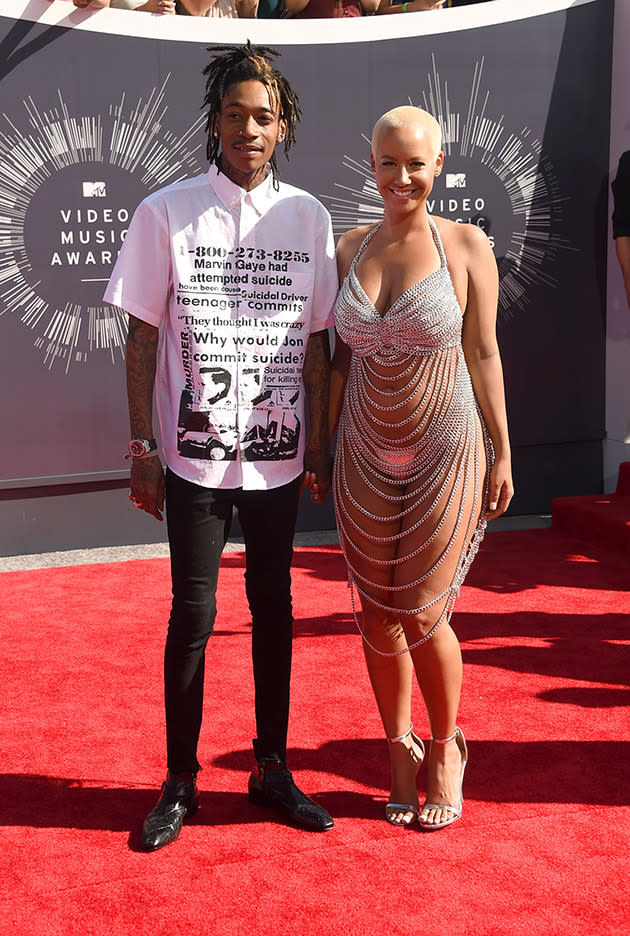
point(232, 65)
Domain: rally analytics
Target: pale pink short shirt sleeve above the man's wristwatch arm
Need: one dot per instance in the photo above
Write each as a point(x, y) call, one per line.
point(141, 279)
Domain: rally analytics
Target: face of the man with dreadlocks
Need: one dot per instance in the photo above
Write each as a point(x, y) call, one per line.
point(249, 127)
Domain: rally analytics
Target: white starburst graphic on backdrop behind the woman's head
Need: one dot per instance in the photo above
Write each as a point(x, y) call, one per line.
point(511, 163)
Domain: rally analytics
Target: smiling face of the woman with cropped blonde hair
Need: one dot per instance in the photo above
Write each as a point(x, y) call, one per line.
point(405, 165)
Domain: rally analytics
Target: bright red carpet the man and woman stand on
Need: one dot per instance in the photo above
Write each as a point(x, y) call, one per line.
point(541, 848)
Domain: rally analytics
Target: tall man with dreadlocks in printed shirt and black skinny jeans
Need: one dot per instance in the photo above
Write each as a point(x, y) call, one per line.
point(234, 273)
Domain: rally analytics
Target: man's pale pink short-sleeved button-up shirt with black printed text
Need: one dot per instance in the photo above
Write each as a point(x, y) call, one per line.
point(236, 281)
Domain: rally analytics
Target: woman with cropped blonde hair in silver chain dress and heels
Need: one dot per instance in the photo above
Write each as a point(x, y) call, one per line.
point(423, 457)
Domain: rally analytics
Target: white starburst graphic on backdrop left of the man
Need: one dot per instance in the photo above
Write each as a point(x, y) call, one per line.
point(130, 142)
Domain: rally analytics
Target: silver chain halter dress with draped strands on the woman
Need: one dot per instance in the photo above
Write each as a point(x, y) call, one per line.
point(413, 453)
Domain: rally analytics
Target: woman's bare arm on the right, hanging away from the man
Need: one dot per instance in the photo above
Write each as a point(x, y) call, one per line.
point(483, 359)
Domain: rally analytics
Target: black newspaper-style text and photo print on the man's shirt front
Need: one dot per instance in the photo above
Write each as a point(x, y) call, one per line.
point(243, 347)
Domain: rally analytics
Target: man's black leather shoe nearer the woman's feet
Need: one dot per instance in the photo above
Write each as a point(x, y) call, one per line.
point(271, 784)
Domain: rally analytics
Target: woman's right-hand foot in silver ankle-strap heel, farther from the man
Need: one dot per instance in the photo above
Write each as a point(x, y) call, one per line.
point(447, 762)
